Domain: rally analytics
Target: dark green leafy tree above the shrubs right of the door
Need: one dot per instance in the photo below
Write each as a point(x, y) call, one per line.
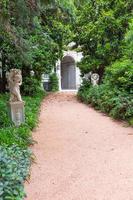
point(100, 29)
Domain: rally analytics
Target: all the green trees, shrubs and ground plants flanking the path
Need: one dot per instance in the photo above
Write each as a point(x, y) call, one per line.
point(33, 36)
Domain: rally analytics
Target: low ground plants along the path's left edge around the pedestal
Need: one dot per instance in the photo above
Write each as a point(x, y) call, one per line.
point(15, 157)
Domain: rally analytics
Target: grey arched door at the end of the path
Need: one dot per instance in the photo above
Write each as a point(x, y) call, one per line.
point(68, 73)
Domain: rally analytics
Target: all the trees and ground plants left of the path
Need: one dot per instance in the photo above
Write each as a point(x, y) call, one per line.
point(32, 38)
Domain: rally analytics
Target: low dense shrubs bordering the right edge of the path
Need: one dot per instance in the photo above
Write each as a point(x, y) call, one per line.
point(108, 99)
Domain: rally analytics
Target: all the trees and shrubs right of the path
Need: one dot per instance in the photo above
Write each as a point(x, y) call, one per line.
point(107, 46)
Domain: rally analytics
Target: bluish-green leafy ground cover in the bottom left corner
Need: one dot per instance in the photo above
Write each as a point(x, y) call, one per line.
point(14, 169)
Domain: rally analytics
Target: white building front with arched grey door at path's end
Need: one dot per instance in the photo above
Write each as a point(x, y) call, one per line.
point(67, 71)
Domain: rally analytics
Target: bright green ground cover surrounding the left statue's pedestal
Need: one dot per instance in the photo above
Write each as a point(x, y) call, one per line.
point(20, 136)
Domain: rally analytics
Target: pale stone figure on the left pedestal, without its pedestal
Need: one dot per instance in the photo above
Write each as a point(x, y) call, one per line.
point(14, 80)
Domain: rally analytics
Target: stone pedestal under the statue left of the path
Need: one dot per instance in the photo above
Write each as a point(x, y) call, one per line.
point(16, 111)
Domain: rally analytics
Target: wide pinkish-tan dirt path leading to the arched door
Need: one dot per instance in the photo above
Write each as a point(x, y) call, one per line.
point(81, 154)
